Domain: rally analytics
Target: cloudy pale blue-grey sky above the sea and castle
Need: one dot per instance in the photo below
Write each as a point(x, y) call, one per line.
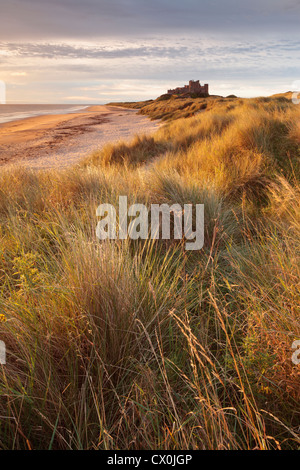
point(97, 51)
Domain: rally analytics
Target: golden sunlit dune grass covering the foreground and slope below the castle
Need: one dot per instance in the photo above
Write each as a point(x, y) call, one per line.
point(142, 345)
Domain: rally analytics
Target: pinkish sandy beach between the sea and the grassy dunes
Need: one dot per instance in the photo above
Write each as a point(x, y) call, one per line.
point(58, 141)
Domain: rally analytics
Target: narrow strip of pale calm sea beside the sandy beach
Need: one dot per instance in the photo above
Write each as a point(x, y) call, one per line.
point(12, 112)
